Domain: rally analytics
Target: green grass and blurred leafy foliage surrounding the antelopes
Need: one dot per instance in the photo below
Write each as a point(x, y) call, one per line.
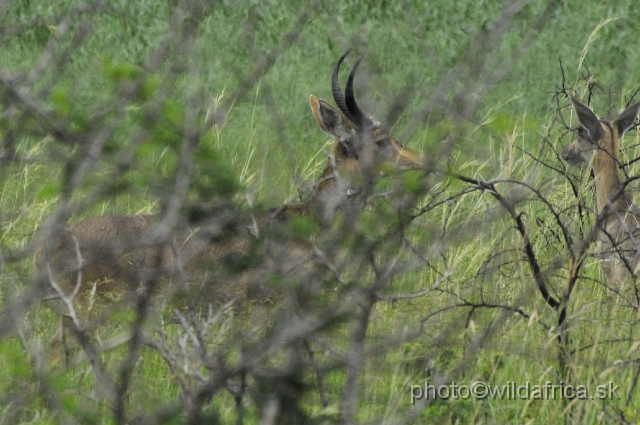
point(433, 73)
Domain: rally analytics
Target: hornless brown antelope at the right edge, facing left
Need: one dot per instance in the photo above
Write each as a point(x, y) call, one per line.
point(598, 143)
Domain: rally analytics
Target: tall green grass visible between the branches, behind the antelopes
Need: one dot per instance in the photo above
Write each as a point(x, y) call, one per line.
point(270, 145)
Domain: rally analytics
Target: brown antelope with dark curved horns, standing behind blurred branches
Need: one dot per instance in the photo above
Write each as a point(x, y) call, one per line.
point(108, 256)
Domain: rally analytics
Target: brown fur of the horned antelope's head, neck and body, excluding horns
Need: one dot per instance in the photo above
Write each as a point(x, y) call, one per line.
point(120, 256)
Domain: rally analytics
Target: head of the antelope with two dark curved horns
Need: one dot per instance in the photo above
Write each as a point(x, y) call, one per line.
point(361, 144)
